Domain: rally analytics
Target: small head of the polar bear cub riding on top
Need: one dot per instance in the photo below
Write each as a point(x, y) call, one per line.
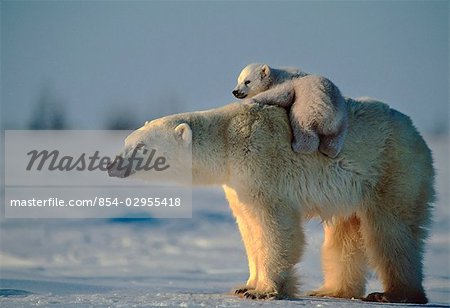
point(253, 79)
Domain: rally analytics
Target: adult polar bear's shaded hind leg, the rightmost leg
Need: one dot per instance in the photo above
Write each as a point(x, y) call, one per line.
point(396, 256)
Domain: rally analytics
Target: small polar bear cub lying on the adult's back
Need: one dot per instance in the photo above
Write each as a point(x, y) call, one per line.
point(317, 108)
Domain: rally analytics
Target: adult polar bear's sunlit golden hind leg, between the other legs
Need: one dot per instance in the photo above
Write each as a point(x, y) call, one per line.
point(343, 260)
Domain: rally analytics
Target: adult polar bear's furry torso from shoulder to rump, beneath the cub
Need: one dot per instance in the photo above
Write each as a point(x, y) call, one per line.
point(378, 138)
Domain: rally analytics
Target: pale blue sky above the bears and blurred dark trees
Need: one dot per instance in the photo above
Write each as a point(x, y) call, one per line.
point(98, 57)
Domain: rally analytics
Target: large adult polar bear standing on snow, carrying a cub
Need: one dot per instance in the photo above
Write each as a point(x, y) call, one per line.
point(374, 198)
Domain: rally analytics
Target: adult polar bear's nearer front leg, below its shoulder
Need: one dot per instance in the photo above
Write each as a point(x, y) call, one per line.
point(278, 241)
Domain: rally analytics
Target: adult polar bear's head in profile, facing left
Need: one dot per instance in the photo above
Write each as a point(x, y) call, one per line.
point(159, 151)
